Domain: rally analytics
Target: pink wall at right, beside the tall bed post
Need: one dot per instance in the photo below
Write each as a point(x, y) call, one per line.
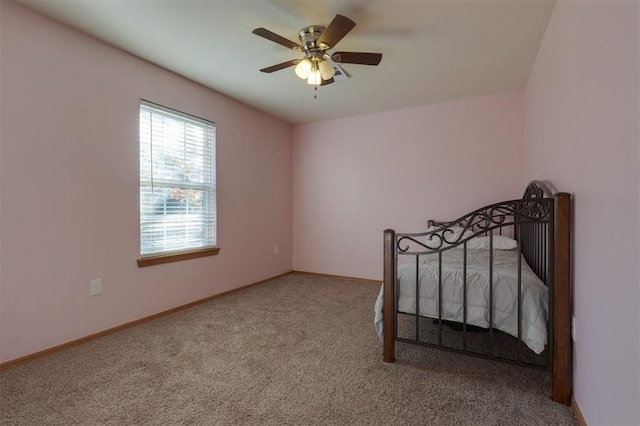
point(581, 133)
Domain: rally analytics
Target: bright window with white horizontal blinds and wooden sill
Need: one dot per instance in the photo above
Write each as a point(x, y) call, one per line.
point(177, 186)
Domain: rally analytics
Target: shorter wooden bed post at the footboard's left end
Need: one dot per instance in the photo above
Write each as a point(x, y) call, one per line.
point(389, 297)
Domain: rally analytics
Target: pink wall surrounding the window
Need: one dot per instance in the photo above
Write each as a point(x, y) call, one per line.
point(69, 173)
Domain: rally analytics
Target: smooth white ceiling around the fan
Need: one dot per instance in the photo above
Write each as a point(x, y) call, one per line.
point(433, 50)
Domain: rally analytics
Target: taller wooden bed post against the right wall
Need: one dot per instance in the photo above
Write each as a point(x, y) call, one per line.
point(562, 301)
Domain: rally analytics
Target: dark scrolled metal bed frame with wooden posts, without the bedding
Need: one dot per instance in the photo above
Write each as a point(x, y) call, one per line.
point(541, 223)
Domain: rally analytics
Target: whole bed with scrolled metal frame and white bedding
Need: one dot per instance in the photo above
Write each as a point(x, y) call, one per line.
point(494, 283)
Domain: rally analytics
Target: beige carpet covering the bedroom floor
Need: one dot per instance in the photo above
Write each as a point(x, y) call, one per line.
point(297, 350)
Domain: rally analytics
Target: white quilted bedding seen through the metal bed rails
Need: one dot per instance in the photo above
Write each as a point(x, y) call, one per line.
point(535, 298)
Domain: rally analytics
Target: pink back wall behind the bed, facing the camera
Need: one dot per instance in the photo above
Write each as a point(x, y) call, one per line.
point(354, 177)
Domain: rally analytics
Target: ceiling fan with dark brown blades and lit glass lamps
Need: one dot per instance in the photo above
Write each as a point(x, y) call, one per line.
point(315, 40)
